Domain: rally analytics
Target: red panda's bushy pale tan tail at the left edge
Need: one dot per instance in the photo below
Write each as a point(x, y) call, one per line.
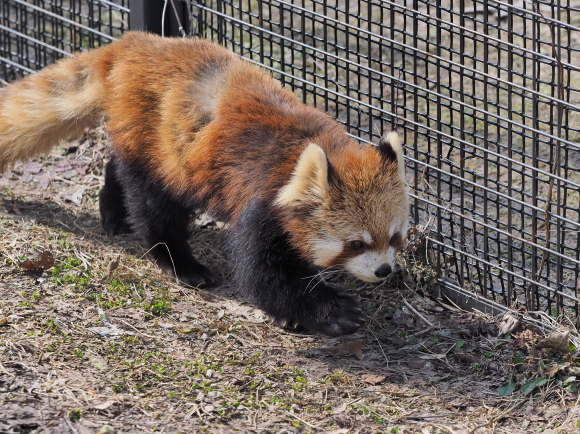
point(54, 104)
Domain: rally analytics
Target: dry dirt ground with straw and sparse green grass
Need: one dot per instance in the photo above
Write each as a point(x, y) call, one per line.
point(102, 342)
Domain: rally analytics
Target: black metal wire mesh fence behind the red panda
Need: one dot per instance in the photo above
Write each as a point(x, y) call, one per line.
point(486, 94)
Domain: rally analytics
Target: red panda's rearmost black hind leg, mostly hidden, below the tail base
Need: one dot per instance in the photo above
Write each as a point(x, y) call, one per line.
point(112, 203)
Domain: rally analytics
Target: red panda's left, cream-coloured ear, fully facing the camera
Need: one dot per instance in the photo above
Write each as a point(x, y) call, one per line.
point(309, 181)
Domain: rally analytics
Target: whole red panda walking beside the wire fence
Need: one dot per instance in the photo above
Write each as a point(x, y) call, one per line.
point(193, 126)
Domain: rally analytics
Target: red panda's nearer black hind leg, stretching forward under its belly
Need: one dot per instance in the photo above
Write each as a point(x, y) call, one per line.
point(163, 224)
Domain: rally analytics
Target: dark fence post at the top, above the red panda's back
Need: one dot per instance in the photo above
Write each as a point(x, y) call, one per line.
point(146, 15)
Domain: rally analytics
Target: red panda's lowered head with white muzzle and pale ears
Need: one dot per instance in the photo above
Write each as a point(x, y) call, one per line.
point(350, 210)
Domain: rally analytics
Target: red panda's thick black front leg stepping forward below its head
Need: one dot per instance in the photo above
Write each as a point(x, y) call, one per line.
point(285, 286)
